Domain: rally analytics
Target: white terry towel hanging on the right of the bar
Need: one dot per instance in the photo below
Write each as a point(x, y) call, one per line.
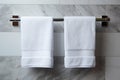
point(79, 35)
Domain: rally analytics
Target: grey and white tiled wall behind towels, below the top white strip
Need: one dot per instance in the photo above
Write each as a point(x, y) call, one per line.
point(107, 43)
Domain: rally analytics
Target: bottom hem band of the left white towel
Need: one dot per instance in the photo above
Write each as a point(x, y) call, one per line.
point(37, 62)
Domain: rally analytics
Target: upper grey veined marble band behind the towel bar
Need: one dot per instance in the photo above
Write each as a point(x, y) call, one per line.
point(6, 11)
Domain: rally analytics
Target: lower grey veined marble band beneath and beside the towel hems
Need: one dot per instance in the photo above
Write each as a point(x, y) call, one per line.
point(10, 69)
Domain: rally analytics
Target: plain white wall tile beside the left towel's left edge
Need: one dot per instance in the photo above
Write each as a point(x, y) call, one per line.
point(10, 44)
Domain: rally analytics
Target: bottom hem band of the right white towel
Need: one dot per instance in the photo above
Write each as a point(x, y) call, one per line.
point(80, 62)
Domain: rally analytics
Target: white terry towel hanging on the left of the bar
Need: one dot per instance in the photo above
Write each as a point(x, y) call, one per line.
point(37, 42)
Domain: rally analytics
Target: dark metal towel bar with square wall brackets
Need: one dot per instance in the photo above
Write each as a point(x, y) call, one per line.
point(105, 19)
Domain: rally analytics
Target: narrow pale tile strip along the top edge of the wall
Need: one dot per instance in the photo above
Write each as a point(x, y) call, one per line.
point(83, 2)
